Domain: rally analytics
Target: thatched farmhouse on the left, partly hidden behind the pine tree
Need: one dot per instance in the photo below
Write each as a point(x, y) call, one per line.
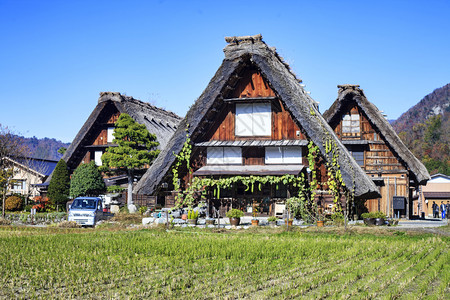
point(96, 135)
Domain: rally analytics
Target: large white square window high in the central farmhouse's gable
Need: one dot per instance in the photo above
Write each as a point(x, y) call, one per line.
point(253, 119)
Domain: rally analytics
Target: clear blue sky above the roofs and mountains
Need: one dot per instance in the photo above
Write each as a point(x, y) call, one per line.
point(56, 56)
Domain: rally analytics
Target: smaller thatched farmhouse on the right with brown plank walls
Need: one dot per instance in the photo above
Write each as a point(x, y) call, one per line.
point(378, 150)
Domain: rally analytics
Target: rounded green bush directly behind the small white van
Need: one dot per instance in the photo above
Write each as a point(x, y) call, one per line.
point(87, 181)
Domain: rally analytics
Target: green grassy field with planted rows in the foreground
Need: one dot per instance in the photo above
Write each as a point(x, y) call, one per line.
point(198, 264)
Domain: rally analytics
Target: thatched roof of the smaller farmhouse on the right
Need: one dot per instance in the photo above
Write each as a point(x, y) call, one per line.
point(349, 94)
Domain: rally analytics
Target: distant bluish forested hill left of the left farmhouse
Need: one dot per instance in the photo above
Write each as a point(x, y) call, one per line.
point(45, 148)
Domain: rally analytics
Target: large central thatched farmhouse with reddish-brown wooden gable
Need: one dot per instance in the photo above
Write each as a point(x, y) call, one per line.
point(254, 119)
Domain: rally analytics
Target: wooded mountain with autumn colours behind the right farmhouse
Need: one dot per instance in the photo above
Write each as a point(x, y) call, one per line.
point(425, 129)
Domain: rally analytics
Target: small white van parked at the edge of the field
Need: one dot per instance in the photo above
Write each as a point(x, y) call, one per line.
point(86, 211)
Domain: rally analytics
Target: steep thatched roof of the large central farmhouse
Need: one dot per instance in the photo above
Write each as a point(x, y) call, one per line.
point(252, 51)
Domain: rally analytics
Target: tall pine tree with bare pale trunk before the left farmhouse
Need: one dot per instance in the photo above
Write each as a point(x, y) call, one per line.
point(136, 148)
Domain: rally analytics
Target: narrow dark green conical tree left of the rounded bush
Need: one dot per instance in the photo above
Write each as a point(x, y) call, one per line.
point(58, 189)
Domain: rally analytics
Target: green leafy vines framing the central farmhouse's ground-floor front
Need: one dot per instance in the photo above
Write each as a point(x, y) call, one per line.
point(198, 187)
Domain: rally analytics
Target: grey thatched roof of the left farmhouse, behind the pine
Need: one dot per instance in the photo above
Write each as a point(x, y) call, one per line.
point(158, 121)
